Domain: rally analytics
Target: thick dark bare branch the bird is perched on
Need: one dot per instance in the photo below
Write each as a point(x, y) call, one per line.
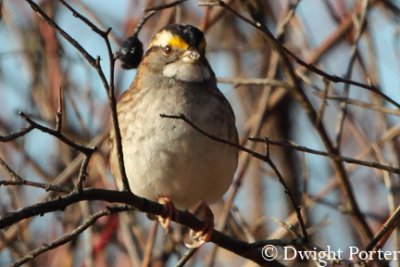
point(250, 251)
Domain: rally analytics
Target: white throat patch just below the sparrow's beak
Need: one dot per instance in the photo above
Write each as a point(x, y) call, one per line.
point(187, 72)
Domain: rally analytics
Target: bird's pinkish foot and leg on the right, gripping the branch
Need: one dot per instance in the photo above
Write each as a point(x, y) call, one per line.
point(204, 235)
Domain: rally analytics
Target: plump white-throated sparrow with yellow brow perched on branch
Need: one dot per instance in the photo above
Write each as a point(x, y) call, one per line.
point(168, 160)
